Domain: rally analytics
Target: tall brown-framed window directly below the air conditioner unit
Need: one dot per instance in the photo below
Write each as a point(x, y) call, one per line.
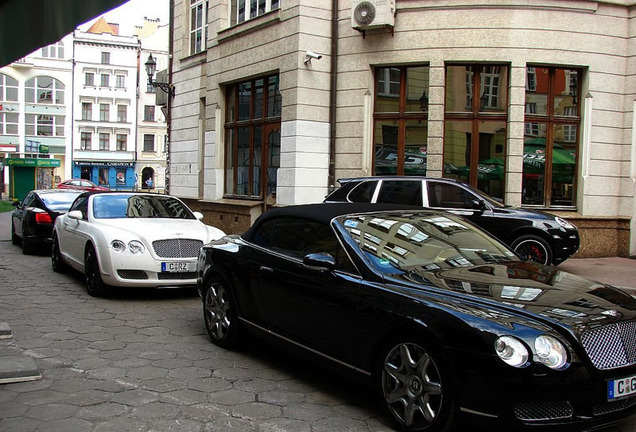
point(401, 120)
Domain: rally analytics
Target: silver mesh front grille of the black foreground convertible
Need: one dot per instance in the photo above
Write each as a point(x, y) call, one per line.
point(611, 346)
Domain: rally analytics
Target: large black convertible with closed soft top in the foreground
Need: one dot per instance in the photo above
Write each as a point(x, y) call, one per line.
point(441, 317)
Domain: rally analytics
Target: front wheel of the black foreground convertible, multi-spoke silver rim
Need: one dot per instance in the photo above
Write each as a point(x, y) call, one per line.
point(414, 388)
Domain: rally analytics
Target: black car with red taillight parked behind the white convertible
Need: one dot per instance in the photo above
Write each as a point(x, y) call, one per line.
point(33, 218)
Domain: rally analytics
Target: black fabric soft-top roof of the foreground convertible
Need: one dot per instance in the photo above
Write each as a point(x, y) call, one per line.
point(325, 212)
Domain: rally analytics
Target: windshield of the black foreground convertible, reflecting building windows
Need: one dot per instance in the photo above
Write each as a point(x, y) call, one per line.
point(398, 243)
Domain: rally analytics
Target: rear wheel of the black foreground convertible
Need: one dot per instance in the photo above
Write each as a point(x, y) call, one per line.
point(220, 314)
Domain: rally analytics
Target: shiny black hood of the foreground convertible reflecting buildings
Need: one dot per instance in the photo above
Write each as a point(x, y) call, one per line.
point(530, 290)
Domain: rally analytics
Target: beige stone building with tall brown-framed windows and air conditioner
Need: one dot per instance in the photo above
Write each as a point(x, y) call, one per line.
point(531, 101)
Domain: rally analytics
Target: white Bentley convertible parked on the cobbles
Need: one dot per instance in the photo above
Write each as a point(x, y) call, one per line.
point(131, 240)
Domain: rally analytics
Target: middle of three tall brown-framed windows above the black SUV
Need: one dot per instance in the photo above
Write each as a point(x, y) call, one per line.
point(475, 125)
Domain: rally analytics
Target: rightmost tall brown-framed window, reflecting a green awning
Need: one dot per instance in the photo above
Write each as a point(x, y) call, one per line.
point(550, 155)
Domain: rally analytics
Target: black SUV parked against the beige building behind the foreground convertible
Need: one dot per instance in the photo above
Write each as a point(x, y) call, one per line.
point(533, 234)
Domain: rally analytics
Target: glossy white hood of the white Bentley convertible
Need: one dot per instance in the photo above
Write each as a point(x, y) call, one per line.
point(157, 229)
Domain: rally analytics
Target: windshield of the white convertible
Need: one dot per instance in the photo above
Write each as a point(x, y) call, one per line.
point(117, 206)
